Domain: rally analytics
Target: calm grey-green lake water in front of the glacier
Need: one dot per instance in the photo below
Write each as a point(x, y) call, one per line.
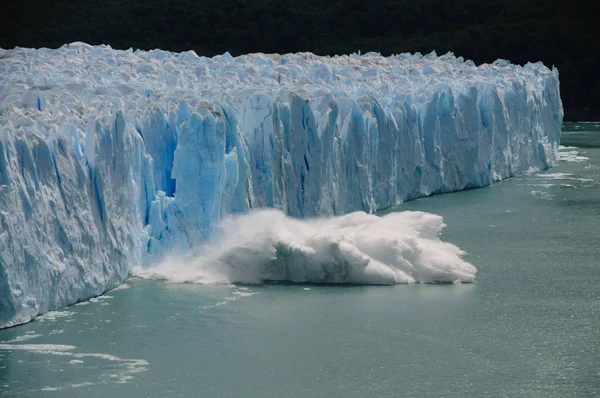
point(529, 326)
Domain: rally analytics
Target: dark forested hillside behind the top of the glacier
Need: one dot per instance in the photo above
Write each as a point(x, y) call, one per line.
point(558, 32)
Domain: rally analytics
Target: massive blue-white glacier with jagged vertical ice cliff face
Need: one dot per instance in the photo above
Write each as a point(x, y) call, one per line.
point(112, 159)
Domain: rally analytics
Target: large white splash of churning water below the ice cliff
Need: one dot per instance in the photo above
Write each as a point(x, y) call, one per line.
point(357, 248)
